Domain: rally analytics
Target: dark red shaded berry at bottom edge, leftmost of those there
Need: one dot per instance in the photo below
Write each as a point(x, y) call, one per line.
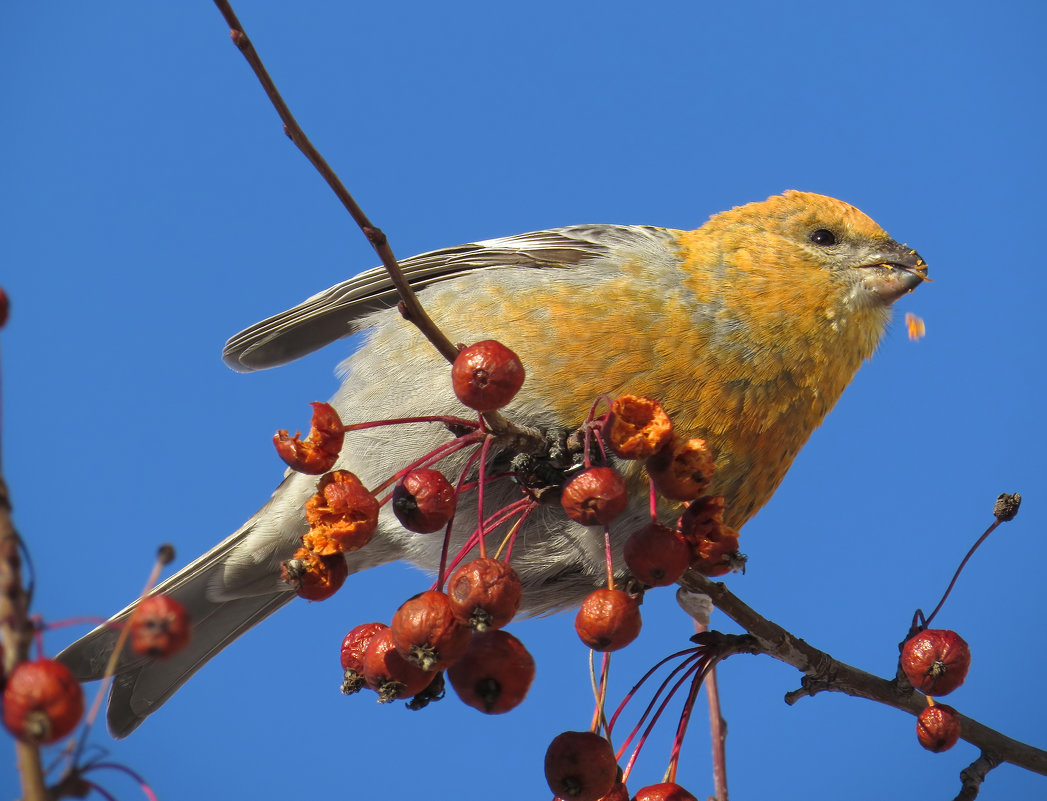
point(581, 767)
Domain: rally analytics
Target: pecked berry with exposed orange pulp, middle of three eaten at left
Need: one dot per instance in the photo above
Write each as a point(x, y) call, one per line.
point(343, 516)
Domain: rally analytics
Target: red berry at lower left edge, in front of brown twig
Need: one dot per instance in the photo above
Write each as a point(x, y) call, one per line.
point(42, 702)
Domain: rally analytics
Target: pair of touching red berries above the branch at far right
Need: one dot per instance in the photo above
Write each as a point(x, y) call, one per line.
point(935, 661)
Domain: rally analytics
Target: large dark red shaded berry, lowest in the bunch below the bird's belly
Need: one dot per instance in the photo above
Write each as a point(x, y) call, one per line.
point(495, 675)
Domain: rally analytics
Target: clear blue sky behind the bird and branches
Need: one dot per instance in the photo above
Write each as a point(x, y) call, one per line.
point(153, 208)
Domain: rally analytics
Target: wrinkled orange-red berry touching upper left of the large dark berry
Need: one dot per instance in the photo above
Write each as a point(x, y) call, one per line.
point(427, 633)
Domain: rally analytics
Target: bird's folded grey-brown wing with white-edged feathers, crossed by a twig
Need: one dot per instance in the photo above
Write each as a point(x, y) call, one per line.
point(332, 315)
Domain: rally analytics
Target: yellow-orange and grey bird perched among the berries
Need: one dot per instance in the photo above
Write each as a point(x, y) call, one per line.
point(747, 330)
